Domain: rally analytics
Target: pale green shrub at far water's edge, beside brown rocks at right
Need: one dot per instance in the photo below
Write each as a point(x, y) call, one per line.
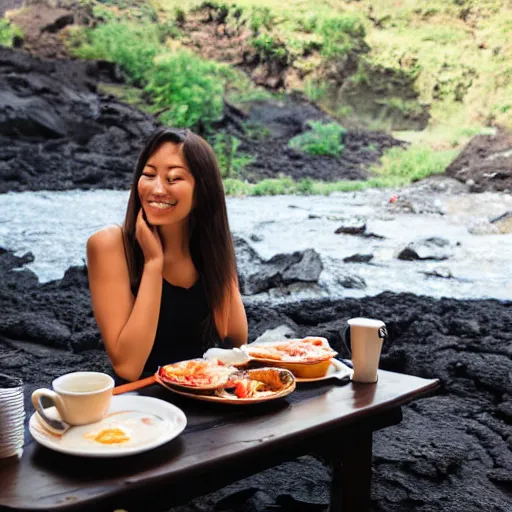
point(401, 166)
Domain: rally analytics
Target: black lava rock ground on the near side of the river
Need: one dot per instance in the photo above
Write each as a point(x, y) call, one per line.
point(452, 452)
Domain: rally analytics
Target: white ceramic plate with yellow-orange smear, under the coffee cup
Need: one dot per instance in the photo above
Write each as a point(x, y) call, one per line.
point(135, 423)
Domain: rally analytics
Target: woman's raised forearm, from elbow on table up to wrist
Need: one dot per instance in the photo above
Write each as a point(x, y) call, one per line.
point(138, 335)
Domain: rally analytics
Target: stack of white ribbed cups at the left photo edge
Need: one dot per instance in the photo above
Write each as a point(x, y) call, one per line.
point(12, 416)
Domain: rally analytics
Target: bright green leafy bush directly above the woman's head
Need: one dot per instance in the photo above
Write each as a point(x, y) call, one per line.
point(187, 90)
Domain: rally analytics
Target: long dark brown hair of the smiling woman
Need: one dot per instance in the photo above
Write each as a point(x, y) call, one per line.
point(211, 245)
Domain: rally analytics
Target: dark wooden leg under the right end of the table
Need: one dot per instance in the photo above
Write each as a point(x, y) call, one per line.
point(352, 474)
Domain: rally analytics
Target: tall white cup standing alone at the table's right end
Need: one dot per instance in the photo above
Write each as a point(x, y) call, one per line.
point(366, 337)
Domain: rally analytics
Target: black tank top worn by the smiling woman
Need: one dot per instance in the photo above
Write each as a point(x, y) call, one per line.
point(185, 327)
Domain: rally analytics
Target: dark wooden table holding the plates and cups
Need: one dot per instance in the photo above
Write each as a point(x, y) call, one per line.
point(222, 444)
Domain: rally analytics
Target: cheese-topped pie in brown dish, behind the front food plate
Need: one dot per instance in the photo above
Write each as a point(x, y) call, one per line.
point(306, 358)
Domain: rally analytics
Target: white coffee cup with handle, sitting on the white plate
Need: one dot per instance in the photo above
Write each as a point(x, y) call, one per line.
point(79, 397)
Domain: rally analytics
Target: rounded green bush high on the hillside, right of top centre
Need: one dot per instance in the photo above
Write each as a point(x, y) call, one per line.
point(339, 34)
